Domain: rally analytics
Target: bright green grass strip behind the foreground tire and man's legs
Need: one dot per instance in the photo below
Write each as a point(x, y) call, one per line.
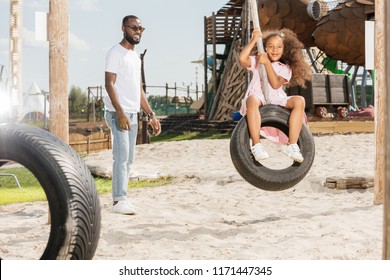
point(32, 191)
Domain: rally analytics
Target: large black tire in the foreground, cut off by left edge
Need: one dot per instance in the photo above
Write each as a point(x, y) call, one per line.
point(68, 184)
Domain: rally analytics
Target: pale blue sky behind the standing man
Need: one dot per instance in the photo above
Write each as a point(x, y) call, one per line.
point(174, 37)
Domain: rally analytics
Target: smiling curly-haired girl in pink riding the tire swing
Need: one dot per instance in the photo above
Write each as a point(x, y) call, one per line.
point(285, 64)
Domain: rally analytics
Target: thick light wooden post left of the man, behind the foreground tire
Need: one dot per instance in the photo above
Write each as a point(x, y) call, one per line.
point(58, 28)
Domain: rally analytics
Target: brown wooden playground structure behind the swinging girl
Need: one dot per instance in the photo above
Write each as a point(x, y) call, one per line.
point(231, 27)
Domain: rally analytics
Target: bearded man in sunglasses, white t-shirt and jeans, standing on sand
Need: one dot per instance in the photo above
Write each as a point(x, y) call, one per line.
point(125, 97)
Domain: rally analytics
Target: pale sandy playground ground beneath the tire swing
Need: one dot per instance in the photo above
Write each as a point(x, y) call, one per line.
point(211, 212)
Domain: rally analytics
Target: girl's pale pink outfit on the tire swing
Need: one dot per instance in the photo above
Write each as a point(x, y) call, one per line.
point(276, 96)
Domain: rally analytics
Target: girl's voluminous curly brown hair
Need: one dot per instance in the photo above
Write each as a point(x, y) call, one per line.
point(292, 55)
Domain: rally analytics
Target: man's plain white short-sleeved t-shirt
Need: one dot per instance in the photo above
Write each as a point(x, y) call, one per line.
point(126, 64)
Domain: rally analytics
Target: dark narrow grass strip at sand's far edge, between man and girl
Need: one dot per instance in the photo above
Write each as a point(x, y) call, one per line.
point(165, 137)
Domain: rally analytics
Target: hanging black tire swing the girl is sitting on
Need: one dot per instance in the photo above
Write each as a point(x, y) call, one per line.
point(259, 175)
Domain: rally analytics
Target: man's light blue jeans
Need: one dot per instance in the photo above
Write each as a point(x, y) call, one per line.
point(123, 149)
